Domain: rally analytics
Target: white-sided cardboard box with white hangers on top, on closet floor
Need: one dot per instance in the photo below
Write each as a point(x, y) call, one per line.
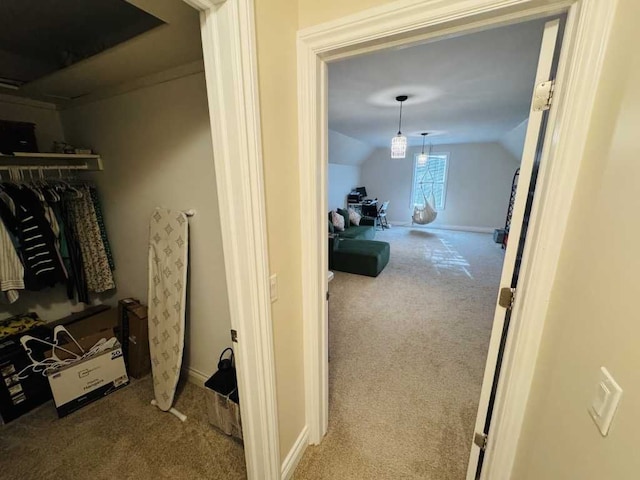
point(90, 379)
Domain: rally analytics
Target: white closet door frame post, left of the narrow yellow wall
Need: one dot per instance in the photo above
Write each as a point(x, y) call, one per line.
point(230, 62)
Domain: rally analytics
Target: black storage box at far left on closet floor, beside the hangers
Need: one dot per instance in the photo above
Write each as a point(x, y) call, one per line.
point(20, 395)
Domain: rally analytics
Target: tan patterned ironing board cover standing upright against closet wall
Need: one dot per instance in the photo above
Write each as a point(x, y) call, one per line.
point(168, 249)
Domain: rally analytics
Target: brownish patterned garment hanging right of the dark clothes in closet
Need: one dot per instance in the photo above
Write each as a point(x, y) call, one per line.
point(99, 276)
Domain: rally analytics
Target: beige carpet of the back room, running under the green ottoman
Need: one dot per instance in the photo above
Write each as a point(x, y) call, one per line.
point(407, 354)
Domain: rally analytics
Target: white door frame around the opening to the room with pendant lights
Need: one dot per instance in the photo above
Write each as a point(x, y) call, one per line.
point(409, 21)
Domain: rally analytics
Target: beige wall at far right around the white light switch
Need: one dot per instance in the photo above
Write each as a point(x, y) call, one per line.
point(593, 318)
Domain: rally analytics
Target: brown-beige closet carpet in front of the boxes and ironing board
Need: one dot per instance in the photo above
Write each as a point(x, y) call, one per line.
point(120, 437)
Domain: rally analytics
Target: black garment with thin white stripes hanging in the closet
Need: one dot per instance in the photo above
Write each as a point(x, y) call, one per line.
point(40, 257)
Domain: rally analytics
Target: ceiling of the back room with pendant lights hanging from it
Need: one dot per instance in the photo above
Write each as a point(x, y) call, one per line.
point(470, 88)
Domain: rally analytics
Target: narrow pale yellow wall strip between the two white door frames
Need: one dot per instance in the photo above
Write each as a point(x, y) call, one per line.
point(276, 24)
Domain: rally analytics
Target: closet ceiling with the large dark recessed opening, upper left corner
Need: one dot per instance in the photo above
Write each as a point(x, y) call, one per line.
point(175, 42)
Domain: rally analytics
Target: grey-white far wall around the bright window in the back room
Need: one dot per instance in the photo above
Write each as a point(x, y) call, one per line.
point(478, 184)
